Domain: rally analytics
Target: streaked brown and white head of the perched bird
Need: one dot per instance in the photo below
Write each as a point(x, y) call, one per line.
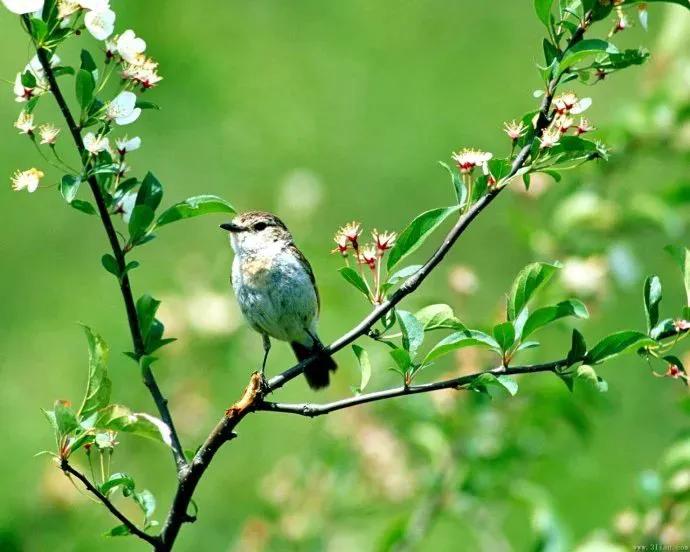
point(256, 231)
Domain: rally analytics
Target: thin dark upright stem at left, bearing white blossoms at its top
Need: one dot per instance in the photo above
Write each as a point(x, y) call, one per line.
point(124, 282)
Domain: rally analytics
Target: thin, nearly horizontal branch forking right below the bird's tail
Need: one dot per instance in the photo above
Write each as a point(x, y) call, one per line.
point(313, 410)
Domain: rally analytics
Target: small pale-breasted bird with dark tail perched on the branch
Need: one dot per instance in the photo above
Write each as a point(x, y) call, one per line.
point(275, 287)
